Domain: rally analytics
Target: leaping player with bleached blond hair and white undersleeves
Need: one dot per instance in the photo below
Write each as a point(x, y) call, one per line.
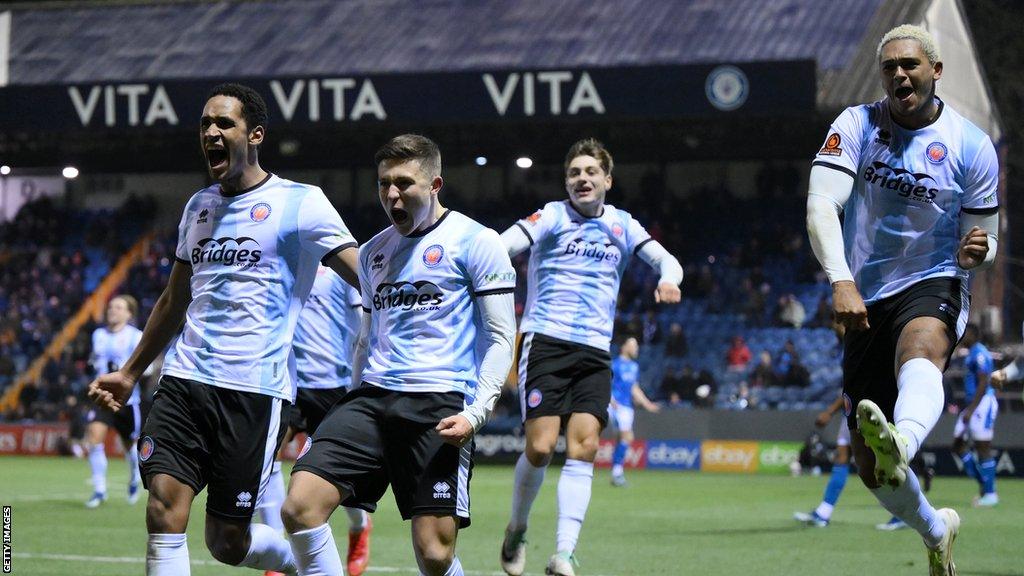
point(917, 184)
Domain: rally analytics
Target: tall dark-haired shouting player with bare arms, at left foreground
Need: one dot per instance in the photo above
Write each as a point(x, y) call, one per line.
point(247, 255)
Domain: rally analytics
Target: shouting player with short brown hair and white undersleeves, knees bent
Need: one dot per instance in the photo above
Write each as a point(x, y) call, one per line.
point(434, 351)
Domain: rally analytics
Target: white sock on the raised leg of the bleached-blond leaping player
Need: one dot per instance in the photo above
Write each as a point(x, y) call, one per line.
point(920, 402)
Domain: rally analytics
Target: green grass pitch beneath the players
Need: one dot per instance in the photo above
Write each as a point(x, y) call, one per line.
point(663, 523)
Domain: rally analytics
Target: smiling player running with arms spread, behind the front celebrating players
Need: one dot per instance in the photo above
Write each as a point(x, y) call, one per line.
point(580, 248)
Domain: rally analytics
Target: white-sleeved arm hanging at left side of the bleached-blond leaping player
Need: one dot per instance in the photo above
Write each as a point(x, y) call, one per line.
point(830, 189)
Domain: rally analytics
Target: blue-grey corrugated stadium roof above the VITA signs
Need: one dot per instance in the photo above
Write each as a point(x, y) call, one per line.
point(319, 37)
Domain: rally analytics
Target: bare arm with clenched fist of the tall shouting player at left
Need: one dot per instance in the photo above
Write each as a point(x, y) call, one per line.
point(112, 391)
